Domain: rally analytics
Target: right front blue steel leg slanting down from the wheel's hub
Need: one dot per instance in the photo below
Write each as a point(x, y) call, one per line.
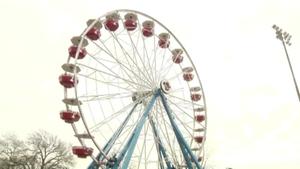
point(187, 152)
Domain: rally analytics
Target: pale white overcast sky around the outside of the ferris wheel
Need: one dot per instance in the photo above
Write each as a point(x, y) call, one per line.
point(253, 110)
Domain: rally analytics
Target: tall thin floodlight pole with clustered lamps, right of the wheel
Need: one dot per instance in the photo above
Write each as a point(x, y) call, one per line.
point(285, 38)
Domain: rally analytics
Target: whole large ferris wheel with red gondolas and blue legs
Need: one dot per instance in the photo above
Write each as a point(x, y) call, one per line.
point(133, 96)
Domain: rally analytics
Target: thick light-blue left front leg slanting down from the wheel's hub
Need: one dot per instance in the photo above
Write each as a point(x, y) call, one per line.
point(127, 151)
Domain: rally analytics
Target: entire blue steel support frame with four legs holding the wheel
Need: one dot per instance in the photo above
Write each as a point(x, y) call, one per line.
point(128, 149)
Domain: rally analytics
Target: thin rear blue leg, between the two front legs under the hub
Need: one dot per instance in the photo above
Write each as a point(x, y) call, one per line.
point(161, 148)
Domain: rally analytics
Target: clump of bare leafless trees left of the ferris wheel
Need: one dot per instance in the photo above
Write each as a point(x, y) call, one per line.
point(41, 150)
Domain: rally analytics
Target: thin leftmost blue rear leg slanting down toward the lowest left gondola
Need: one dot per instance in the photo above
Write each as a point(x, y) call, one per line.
point(112, 140)
